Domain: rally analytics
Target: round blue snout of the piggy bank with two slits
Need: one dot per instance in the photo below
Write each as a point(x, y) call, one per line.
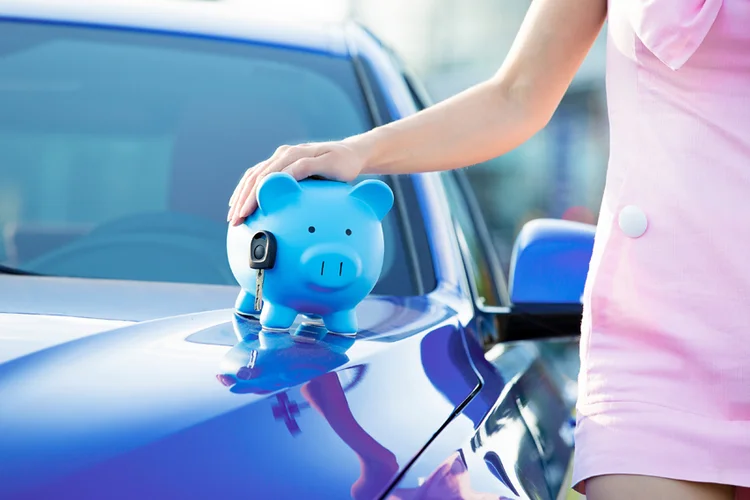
point(331, 267)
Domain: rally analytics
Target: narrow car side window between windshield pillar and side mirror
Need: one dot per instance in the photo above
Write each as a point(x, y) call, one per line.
point(478, 261)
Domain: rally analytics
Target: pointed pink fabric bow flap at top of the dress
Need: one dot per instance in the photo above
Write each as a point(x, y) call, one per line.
point(672, 29)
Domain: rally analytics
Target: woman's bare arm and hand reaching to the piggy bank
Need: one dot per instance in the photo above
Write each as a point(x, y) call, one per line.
point(483, 122)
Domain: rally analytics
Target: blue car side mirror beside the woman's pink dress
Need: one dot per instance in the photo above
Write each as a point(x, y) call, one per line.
point(550, 263)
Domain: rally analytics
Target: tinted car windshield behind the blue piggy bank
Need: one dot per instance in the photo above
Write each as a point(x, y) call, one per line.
point(119, 149)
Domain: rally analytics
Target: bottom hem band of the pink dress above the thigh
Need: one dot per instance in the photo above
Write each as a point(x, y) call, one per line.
point(633, 438)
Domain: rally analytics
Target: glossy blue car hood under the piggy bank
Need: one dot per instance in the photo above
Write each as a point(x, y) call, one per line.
point(204, 404)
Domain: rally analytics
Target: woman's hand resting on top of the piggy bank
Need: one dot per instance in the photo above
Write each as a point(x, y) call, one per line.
point(339, 160)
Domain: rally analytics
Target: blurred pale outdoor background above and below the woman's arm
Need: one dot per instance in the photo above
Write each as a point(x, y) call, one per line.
point(452, 44)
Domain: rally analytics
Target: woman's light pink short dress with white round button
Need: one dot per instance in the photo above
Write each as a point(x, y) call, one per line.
point(665, 349)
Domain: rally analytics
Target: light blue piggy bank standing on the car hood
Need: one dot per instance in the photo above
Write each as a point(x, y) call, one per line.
point(328, 250)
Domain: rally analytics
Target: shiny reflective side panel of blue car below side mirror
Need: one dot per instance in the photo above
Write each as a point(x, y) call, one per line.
point(514, 440)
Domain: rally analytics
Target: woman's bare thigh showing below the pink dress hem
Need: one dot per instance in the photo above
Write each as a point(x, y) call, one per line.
point(631, 487)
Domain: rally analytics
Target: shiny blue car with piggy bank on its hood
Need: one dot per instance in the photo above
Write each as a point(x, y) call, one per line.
point(124, 370)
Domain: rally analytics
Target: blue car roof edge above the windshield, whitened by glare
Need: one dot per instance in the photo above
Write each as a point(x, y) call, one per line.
point(213, 19)
